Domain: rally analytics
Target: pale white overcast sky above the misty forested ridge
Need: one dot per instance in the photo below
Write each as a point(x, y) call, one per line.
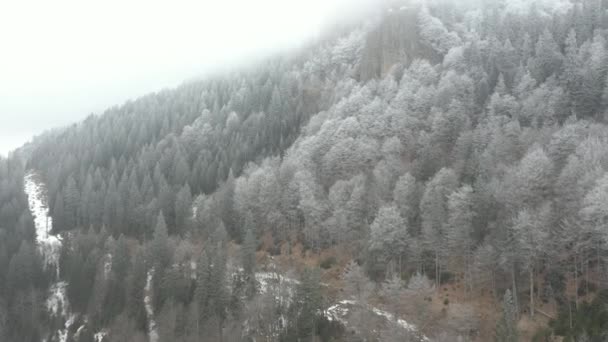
point(64, 59)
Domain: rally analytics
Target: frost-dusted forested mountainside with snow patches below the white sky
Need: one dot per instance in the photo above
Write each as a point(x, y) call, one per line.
point(436, 171)
